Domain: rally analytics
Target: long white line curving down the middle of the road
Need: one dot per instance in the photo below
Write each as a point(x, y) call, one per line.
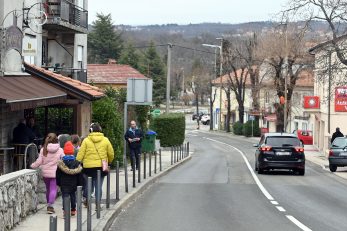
point(262, 188)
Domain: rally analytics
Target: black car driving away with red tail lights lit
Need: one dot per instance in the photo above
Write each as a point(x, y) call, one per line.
point(279, 151)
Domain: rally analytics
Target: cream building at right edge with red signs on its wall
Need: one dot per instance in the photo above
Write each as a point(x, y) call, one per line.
point(330, 87)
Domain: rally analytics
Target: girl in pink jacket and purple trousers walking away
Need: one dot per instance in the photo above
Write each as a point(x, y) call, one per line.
point(49, 156)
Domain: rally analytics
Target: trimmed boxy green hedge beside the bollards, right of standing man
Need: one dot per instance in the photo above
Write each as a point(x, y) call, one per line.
point(170, 129)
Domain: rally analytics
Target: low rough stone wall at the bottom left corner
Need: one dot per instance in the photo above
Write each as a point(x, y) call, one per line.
point(18, 197)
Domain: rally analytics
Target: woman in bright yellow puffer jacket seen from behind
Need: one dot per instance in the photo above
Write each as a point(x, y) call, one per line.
point(95, 148)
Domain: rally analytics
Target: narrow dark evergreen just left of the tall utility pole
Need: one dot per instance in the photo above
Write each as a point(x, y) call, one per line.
point(153, 68)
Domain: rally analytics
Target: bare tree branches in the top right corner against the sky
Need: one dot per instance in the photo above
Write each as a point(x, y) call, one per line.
point(331, 11)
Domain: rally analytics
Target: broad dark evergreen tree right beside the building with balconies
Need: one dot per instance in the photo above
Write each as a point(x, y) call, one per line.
point(103, 41)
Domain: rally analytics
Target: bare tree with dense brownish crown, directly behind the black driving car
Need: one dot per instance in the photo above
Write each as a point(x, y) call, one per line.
point(287, 57)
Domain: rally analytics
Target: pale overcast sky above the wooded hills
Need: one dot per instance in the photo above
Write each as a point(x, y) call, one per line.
point(144, 12)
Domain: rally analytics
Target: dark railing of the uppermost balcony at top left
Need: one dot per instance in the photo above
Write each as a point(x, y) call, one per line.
point(67, 12)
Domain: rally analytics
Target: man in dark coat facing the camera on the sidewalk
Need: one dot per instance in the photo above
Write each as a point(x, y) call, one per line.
point(134, 137)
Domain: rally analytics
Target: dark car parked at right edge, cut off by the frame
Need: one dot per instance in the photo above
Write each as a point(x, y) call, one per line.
point(338, 153)
